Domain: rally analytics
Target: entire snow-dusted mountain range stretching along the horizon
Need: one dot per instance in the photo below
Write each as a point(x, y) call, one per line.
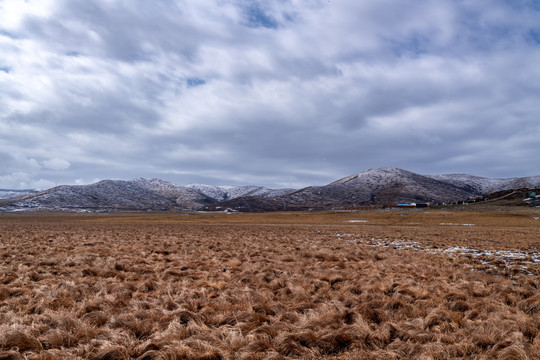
point(383, 186)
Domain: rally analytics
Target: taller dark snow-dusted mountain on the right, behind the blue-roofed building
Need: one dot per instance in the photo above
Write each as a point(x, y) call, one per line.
point(383, 186)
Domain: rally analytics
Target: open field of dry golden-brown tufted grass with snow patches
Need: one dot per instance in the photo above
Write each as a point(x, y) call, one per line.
point(385, 284)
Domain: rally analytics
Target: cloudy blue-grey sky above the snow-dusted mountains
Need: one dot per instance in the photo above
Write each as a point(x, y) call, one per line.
point(283, 93)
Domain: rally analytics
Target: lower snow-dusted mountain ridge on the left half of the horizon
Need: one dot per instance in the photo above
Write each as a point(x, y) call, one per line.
point(137, 194)
